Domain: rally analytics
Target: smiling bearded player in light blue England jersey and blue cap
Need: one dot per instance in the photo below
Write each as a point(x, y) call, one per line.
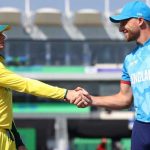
point(134, 24)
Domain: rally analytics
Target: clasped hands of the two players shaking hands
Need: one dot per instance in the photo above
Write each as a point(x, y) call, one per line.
point(79, 97)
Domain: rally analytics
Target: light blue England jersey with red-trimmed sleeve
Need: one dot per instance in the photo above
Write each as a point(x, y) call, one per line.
point(136, 71)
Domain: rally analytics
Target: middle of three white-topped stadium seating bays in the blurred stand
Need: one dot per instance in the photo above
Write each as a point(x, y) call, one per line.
point(48, 21)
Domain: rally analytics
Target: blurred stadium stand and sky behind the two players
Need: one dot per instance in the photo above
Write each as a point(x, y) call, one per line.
point(67, 43)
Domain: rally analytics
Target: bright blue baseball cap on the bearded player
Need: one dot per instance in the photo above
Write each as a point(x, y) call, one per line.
point(134, 9)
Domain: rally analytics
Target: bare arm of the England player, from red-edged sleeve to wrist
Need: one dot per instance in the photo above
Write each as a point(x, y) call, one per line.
point(121, 100)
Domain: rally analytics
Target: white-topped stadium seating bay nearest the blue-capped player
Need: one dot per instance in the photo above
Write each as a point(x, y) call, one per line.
point(90, 24)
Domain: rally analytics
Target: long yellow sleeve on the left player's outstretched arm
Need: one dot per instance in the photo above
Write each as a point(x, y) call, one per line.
point(15, 82)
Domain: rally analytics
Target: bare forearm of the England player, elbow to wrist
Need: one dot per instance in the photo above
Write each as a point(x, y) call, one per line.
point(111, 102)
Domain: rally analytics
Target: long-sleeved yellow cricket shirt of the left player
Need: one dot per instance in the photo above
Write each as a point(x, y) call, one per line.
point(10, 81)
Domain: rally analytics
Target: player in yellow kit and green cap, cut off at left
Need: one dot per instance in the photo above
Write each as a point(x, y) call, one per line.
point(10, 81)
